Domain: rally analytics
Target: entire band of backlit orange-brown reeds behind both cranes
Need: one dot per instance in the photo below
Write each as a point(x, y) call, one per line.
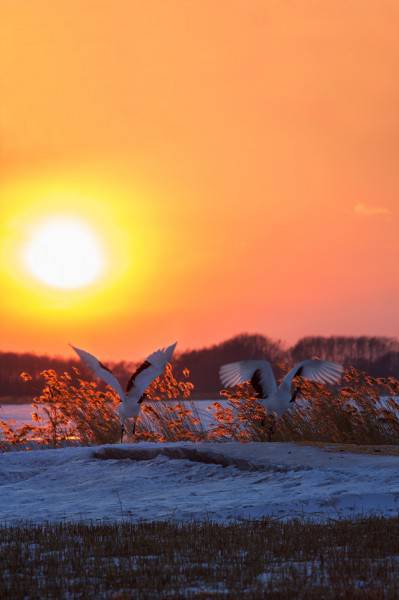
point(363, 410)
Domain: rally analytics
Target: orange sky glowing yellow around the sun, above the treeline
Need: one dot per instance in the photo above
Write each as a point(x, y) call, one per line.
point(235, 162)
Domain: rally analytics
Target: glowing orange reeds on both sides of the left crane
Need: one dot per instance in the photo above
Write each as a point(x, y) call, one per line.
point(71, 409)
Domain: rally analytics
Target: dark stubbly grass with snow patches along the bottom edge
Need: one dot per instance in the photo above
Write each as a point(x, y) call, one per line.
point(255, 559)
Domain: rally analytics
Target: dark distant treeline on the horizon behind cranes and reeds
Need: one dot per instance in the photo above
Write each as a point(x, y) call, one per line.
point(379, 356)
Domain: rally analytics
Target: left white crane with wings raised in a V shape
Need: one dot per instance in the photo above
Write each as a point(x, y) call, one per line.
point(144, 375)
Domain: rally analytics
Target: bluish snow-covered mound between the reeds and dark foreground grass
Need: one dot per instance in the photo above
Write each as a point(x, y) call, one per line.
point(183, 481)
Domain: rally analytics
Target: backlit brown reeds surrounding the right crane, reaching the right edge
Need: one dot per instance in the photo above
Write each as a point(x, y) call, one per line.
point(363, 410)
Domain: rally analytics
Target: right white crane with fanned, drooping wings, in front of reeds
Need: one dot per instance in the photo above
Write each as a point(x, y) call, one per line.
point(277, 399)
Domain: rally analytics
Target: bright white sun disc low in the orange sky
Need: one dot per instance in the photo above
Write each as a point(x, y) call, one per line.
point(64, 252)
